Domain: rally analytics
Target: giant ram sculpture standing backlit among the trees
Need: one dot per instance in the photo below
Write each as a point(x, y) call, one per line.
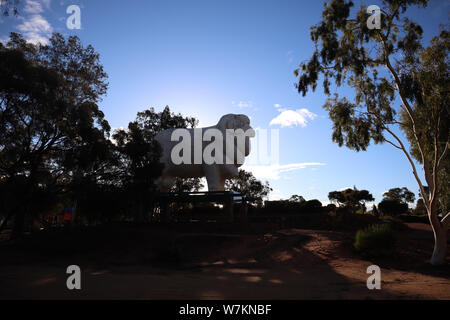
point(214, 152)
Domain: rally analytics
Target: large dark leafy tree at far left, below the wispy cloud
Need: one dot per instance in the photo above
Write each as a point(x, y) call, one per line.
point(50, 122)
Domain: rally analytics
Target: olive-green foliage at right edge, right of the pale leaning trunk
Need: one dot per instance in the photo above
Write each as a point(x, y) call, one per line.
point(430, 75)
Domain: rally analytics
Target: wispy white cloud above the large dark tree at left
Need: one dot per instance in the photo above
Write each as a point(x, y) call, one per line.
point(35, 28)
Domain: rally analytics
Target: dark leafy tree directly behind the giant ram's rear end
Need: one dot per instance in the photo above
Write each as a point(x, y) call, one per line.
point(139, 155)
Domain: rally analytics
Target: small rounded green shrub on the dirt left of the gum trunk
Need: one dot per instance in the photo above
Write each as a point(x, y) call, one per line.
point(375, 240)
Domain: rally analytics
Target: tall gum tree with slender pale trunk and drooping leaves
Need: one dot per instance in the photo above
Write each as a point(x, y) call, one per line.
point(381, 64)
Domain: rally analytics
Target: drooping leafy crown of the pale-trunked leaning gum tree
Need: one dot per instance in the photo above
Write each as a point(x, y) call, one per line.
point(348, 53)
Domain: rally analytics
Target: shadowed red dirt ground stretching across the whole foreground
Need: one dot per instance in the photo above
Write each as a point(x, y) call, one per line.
point(288, 264)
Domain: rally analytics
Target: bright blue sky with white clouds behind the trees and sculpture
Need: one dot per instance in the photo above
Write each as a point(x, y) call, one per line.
point(209, 58)
